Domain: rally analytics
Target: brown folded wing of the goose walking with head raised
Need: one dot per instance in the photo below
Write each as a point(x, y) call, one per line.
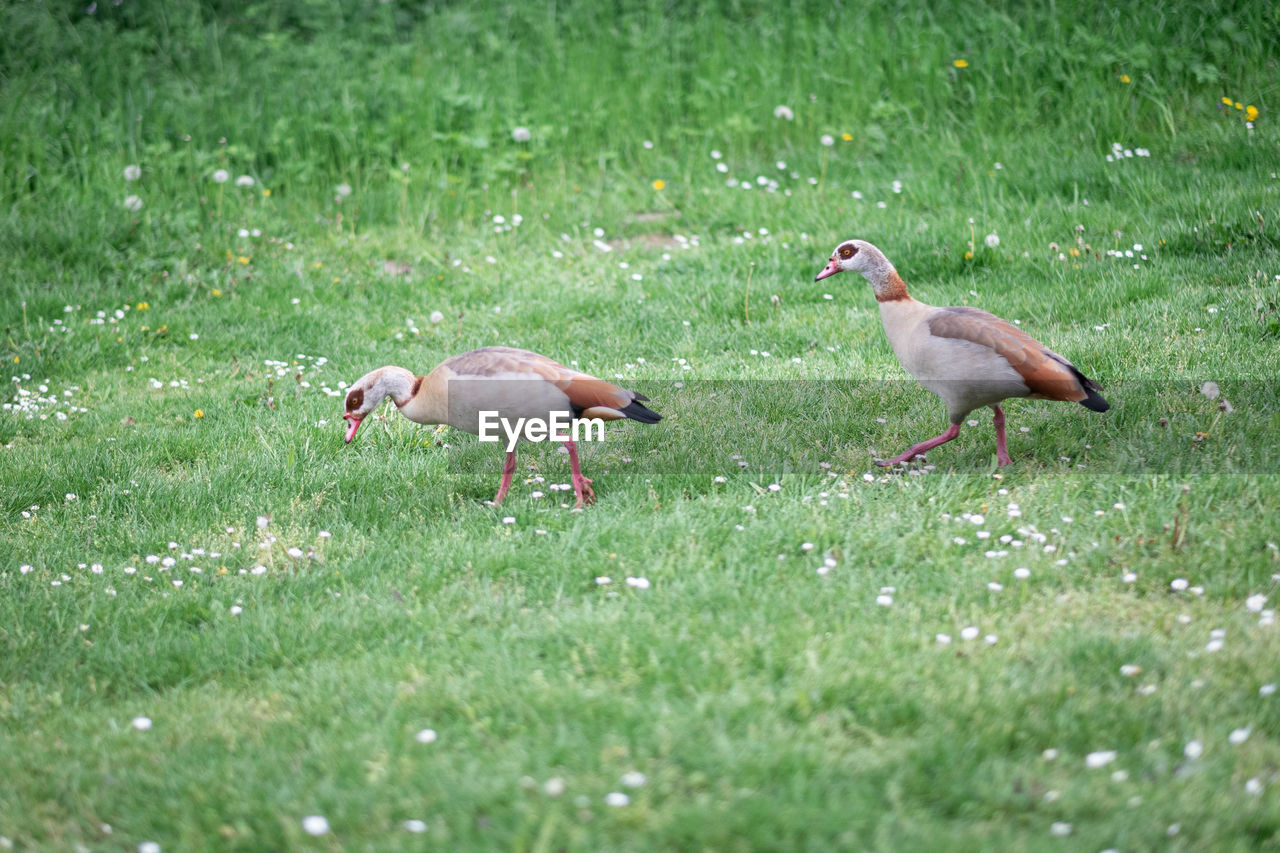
point(1046, 373)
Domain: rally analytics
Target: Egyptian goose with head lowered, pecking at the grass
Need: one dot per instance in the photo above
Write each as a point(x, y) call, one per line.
point(473, 391)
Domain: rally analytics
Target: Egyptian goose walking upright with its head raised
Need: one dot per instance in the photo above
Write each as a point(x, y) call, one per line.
point(964, 355)
